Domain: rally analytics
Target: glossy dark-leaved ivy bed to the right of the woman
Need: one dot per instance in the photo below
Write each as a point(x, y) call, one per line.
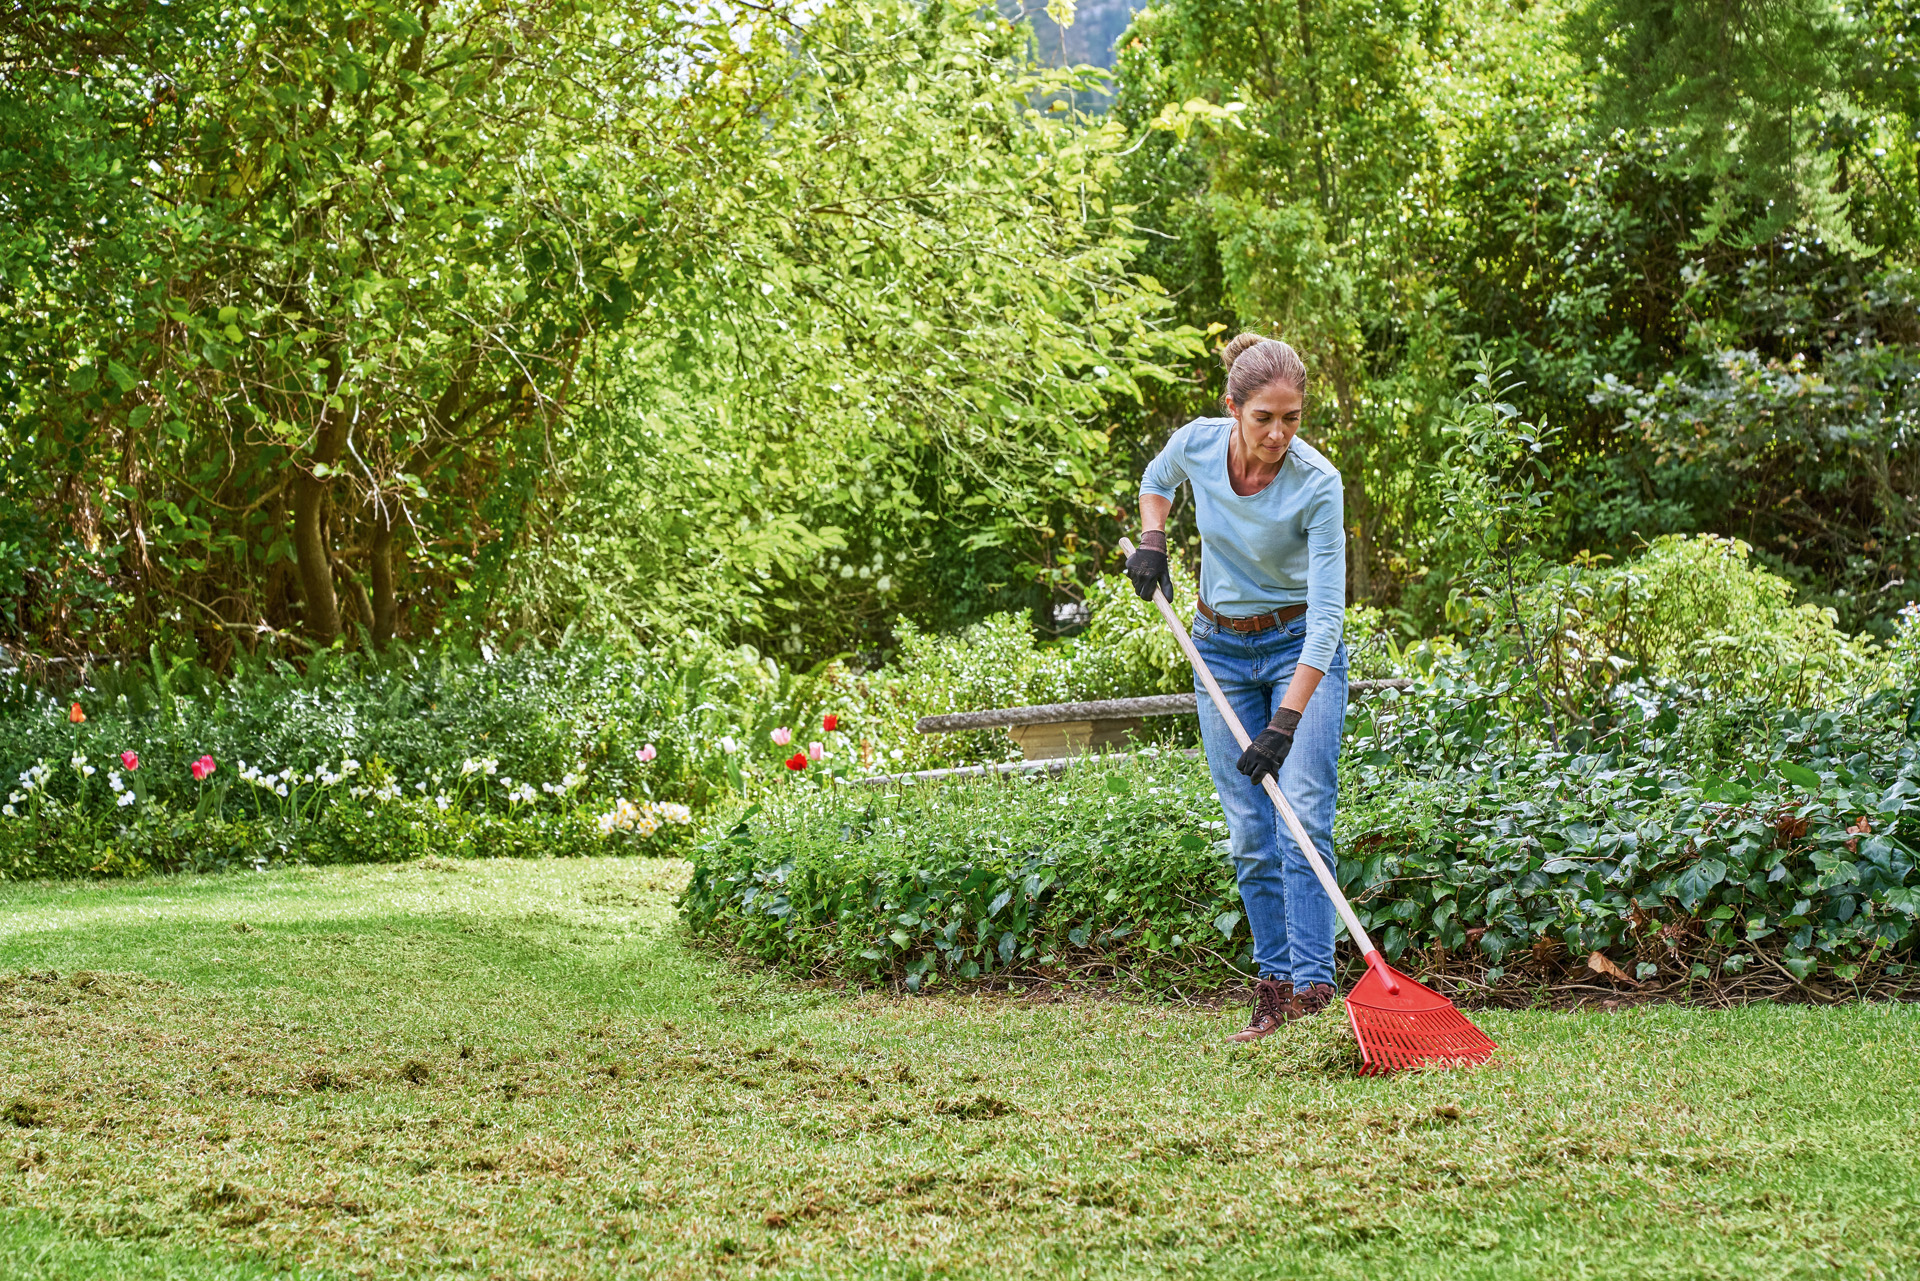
point(1683, 833)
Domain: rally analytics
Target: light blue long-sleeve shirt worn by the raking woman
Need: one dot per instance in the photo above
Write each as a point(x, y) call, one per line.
point(1262, 552)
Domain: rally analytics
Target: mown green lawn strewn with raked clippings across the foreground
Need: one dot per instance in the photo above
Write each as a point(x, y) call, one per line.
point(519, 1069)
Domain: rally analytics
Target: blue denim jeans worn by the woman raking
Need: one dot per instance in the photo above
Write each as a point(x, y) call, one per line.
point(1285, 906)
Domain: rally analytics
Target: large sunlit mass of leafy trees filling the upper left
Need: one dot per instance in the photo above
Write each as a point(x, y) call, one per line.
point(383, 299)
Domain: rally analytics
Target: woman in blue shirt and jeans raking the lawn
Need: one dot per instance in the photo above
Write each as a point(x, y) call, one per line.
point(1272, 606)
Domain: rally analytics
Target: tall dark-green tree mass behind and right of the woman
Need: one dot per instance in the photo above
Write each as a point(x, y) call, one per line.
point(1426, 181)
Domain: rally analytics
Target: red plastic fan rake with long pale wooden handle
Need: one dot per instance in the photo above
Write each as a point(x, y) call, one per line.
point(1397, 1021)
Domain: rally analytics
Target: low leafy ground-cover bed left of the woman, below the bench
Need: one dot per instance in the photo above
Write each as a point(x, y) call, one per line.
point(1109, 873)
